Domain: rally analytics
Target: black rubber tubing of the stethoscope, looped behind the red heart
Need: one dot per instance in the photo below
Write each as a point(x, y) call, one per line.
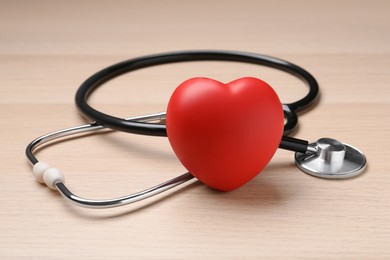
point(108, 121)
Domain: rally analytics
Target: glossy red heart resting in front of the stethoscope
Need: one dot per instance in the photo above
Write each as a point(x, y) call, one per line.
point(224, 134)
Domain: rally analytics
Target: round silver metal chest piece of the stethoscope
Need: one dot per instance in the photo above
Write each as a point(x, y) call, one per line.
point(331, 159)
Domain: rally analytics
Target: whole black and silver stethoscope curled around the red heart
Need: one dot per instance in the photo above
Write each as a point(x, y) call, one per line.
point(325, 158)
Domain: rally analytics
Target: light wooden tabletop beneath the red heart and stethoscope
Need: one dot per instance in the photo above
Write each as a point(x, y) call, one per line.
point(48, 48)
